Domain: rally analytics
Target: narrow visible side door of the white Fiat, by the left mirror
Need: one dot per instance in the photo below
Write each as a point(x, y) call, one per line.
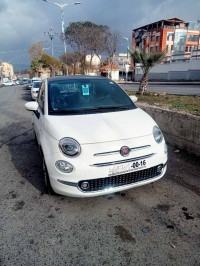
point(38, 116)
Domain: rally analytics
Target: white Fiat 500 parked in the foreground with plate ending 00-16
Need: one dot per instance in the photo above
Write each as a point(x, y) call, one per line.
point(93, 138)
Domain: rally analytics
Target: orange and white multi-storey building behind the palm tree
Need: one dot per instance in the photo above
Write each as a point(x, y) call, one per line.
point(175, 36)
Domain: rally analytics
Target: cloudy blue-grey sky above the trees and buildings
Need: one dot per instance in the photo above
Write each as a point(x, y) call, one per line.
point(23, 22)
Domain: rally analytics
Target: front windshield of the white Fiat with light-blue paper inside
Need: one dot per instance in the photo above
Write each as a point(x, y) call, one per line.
point(86, 96)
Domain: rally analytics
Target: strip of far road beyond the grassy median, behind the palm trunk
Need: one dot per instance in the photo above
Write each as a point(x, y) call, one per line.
point(183, 89)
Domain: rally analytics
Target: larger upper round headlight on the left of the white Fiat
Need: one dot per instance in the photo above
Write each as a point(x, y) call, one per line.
point(70, 147)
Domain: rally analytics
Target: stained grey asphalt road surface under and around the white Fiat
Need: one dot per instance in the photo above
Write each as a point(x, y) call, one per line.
point(157, 224)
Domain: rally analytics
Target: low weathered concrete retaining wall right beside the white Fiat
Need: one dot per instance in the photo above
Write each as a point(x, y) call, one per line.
point(180, 129)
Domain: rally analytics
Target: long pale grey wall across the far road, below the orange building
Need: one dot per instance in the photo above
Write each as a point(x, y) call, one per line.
point(189, 70)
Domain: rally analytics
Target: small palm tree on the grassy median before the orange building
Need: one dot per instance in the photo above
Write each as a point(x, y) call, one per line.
point(147, 61)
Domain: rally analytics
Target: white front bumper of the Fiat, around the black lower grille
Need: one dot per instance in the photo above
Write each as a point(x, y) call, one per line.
point(100, 180)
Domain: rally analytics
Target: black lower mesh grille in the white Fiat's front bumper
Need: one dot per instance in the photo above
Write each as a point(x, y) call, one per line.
point(119, 180)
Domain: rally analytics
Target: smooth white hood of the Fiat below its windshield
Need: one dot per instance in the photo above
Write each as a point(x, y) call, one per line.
point(100, 127)
